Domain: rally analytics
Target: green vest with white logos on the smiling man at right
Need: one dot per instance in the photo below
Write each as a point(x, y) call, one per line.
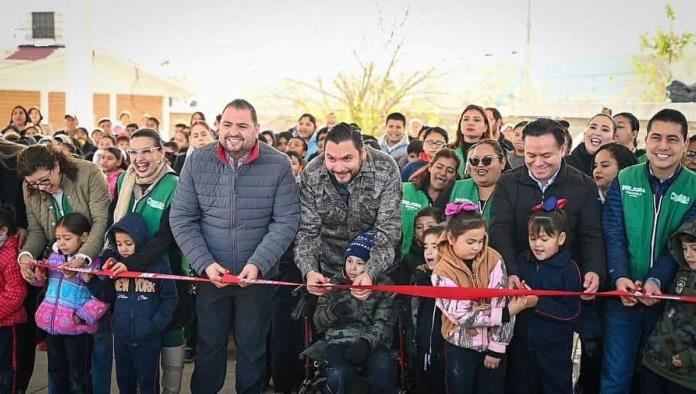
point(649, 223)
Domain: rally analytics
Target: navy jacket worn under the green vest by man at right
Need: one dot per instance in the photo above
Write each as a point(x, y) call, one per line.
point(665, 267)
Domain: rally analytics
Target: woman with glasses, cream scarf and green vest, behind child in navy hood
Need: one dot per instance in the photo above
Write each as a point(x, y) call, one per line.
point(148, 187)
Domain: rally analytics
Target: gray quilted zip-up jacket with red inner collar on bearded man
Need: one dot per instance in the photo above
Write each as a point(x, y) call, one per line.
point(232, 216)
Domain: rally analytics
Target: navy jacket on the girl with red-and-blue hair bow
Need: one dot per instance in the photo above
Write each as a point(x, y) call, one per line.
point(550, 323)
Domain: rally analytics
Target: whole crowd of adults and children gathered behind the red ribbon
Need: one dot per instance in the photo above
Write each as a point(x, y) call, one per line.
point(496, 206)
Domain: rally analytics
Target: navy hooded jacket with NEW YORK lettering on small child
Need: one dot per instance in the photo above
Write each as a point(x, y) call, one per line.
point(142, 307)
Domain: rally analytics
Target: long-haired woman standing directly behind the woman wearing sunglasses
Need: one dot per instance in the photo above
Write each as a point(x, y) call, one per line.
point(472, 127)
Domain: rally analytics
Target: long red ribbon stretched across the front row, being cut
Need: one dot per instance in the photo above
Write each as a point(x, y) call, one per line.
point(452, 293)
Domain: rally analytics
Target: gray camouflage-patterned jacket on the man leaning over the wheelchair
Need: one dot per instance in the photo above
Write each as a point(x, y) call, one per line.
point(327, 224)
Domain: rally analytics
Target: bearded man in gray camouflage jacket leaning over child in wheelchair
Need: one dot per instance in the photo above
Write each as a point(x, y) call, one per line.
point(348, 190)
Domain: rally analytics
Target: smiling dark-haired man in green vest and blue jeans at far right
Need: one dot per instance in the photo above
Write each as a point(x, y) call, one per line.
point(644, 206)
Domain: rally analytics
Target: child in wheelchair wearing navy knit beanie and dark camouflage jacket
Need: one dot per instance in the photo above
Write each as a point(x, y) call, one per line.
point(358, 333)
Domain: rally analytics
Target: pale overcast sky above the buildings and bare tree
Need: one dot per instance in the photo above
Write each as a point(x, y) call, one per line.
point(226, 48)
